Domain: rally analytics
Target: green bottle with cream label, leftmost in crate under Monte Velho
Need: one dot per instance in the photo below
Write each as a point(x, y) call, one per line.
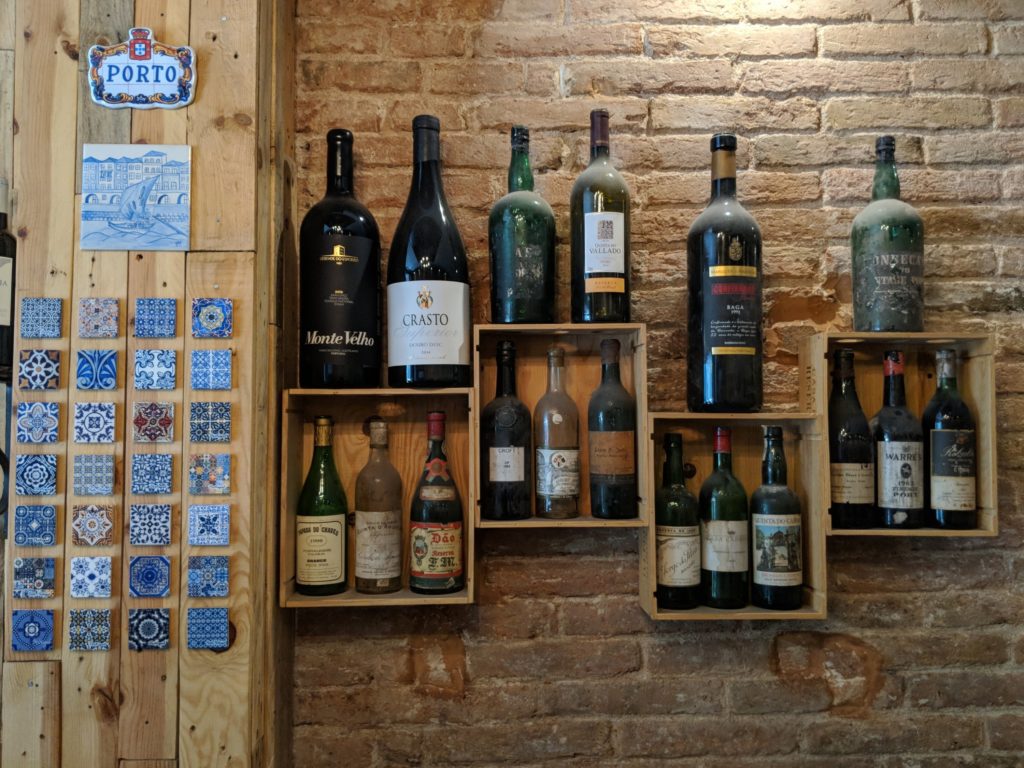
point(321, 525)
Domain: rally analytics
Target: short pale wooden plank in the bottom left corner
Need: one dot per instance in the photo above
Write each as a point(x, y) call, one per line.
point(31, 737)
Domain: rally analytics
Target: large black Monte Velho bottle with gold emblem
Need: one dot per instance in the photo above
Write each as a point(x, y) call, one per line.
point(339, 282)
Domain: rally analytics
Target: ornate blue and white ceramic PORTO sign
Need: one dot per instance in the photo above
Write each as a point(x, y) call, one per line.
point(142, 73)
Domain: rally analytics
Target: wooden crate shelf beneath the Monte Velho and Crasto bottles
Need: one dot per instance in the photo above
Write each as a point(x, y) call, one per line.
point(406, 413)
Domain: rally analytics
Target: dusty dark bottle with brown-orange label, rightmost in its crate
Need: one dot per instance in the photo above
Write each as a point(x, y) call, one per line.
point(612, 421)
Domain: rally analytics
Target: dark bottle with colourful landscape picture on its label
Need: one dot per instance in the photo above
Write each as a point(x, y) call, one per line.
point(779, 553)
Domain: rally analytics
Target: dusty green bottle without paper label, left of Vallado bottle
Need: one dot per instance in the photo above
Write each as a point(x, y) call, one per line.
point(522, 239)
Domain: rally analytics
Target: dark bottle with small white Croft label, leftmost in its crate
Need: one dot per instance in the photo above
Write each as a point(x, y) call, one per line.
point(506, 467)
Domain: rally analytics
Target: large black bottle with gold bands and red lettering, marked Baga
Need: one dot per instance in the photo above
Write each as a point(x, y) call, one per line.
point(723, 250)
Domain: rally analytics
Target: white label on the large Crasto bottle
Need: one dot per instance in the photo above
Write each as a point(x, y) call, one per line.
point(429, 323)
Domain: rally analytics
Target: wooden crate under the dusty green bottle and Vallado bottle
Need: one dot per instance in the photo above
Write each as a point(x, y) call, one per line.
point(583, 374)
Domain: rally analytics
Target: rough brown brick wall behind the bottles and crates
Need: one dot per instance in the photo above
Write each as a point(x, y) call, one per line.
point(922, 661)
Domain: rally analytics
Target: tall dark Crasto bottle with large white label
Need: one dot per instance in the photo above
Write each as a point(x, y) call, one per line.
point(428, 279)
